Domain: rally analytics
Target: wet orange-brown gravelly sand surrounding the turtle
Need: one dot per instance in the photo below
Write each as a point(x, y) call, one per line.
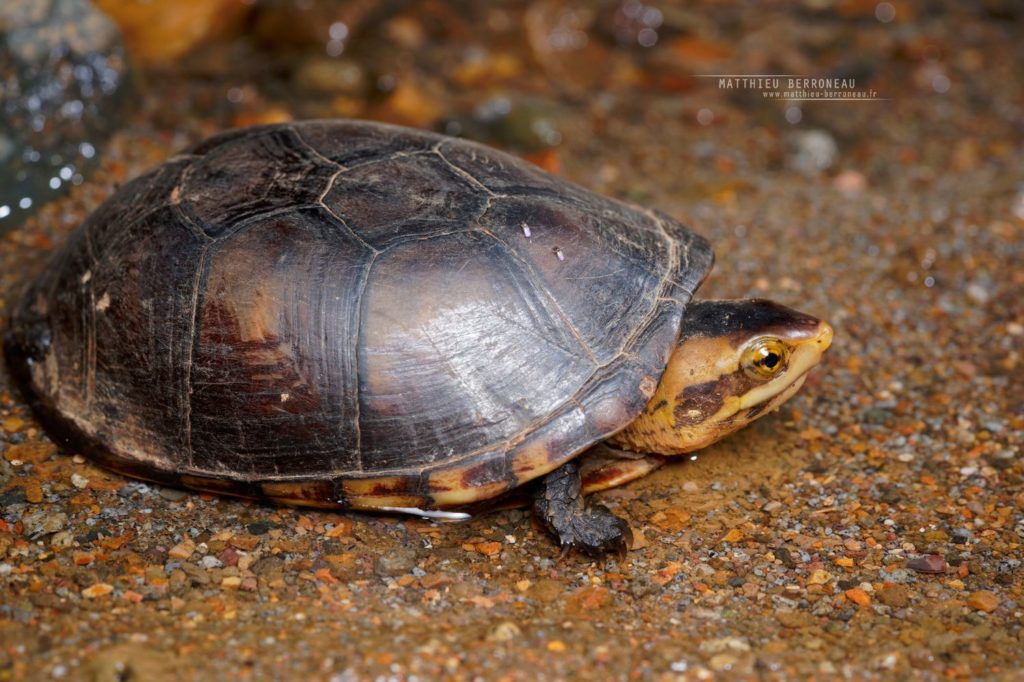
point(871, 530)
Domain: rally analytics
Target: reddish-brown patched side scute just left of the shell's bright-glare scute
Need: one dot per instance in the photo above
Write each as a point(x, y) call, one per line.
point(265, 383)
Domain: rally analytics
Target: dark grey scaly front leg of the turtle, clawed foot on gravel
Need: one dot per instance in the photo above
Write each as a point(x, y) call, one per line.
point(559, 502)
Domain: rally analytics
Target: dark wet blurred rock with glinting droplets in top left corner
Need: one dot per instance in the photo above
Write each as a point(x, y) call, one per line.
point(63, 91)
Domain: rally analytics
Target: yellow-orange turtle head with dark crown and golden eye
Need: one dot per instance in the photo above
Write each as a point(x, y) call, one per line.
point(735, 362)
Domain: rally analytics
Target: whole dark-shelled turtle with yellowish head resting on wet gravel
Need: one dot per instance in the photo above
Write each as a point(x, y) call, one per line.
point(351, 315)
